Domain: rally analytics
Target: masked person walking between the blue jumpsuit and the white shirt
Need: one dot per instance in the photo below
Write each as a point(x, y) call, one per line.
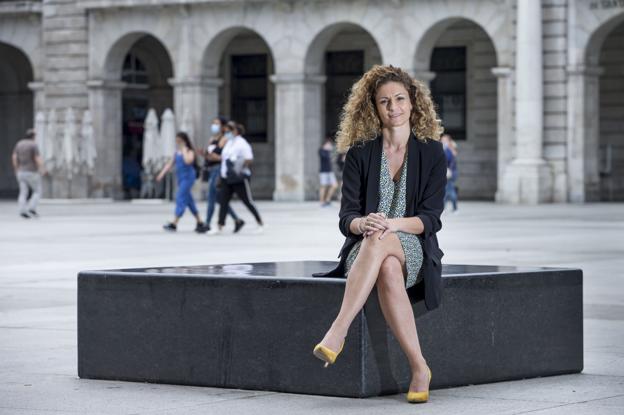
point(212, 163)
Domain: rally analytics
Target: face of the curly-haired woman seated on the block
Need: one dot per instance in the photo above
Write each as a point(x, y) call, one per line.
point(393, 105)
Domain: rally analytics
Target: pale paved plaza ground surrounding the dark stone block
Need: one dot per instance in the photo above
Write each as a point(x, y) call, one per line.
point(39, 260)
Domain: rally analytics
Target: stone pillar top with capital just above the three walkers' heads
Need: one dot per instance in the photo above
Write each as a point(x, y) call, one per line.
point(199, 97)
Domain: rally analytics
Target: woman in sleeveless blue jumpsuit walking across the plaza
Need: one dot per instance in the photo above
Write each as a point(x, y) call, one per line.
point(186, 173)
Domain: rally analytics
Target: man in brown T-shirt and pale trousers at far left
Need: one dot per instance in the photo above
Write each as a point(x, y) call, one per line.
point(28, 167)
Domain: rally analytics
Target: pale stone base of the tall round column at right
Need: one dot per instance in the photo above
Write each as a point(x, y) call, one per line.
point(526, 182)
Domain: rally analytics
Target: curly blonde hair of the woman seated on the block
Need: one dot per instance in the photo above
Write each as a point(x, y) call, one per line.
point(359, 121)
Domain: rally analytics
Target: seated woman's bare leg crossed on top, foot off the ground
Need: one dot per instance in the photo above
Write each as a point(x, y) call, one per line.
point(360, 283)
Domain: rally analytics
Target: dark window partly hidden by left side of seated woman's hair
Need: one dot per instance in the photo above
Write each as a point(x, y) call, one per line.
point(342, 69)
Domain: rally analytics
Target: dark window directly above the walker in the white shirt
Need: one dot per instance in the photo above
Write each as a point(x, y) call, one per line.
point(249, 98)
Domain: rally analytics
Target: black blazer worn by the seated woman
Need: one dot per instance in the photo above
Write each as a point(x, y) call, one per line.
point(426, 182)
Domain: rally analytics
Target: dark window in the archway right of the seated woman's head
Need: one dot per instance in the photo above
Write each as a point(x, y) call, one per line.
point(448, 89)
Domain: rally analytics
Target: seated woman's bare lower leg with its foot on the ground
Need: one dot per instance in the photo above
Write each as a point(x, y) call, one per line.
point(399, 315)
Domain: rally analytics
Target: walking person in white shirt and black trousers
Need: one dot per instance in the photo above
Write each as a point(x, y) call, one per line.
point(236, 160)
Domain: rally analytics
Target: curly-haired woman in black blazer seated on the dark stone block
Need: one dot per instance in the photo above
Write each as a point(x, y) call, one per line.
point(392, 198)
